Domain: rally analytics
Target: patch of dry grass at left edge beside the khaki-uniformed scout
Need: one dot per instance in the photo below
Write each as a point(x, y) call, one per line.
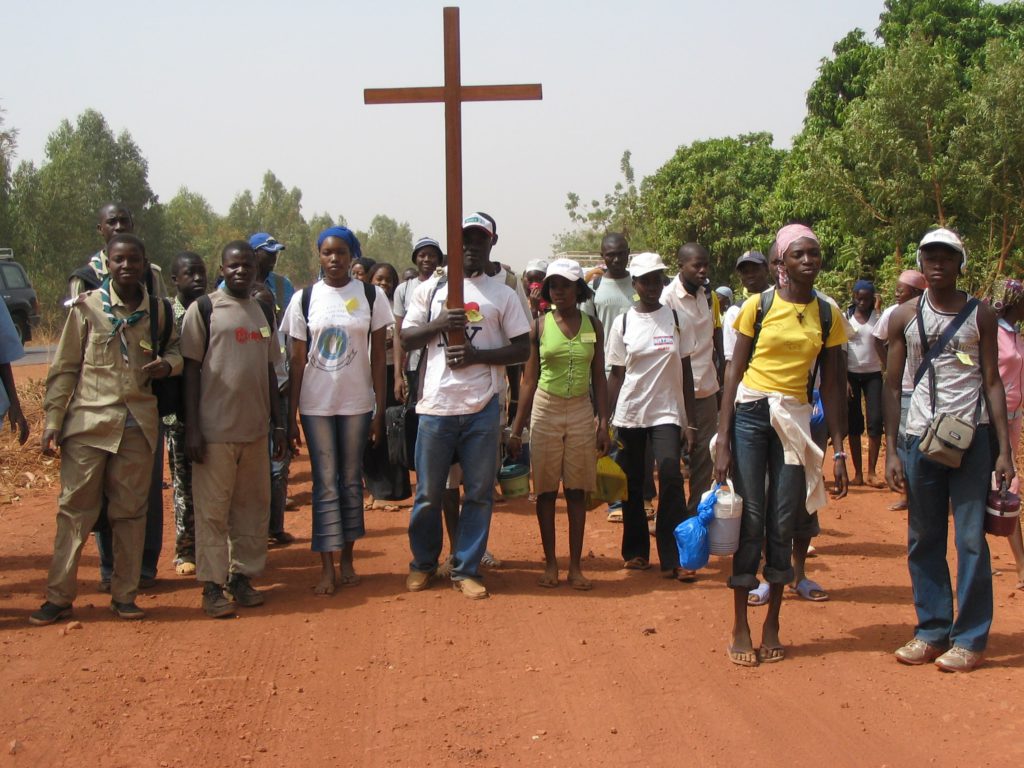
point(24, 467)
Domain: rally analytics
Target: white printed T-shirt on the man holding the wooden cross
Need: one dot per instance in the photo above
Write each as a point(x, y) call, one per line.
point(495, 317)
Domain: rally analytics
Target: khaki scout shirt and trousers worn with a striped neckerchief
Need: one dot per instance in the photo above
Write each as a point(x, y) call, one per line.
point(106, 416)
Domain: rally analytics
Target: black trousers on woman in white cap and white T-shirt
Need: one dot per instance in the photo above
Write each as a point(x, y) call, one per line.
point(664, 447)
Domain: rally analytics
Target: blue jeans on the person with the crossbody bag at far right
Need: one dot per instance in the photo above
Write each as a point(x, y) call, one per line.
point(931, 489)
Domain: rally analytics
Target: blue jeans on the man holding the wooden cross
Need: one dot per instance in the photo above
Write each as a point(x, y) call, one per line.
point(476, 437)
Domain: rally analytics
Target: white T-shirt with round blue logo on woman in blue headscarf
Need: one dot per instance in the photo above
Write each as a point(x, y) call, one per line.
point(337, 380)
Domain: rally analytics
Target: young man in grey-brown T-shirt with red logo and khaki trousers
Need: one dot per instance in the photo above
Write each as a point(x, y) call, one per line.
point(231, 351)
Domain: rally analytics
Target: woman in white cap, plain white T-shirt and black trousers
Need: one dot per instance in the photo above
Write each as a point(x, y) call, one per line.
point(651, 395)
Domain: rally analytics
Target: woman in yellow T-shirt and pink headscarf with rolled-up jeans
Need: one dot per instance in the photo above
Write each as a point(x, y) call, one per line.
point(765, 418)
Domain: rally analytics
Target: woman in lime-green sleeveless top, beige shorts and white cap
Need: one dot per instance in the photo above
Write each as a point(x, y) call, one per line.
point(566, 359)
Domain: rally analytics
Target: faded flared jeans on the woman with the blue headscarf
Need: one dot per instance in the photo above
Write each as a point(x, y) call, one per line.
point(336, 445)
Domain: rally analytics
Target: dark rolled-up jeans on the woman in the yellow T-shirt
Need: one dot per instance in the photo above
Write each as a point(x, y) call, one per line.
point(769, 518)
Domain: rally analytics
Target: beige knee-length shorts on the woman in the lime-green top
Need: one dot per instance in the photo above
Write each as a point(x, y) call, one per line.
point(563, 444)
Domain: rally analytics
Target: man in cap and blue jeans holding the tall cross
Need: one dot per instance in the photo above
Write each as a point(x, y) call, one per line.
point(458, 407)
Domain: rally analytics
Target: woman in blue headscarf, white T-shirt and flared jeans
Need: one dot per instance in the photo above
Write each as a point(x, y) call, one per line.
point(338, 387)
